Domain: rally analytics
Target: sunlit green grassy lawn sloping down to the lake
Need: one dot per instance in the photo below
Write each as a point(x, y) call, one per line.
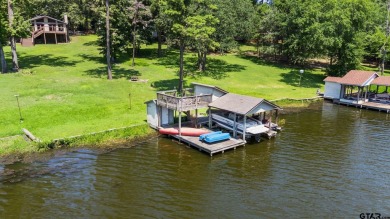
point(63, 89)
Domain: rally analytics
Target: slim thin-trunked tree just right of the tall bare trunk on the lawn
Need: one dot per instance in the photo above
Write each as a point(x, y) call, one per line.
point(139, 15)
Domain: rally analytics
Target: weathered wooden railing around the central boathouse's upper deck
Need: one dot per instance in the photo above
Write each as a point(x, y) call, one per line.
point(183, 103)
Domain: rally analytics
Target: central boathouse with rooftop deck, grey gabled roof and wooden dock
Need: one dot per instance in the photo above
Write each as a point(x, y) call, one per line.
point(170, 107)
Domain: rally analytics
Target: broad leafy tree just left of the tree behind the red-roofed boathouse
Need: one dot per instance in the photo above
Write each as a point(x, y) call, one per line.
point(302, 28)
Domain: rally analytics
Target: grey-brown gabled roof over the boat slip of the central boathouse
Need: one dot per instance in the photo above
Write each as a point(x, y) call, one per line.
point(238, 103)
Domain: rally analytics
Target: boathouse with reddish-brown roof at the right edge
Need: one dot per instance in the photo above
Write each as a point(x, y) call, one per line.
point(362, 89)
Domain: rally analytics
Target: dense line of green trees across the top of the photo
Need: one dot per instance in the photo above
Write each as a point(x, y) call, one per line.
point(343, 32)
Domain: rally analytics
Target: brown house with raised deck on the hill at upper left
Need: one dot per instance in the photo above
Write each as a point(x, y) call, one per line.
point(45, 29)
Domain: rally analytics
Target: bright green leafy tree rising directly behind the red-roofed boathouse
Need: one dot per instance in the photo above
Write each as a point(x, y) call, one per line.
point(353, 20)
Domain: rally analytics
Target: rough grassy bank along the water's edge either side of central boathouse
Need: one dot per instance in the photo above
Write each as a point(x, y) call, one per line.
point(112, 139)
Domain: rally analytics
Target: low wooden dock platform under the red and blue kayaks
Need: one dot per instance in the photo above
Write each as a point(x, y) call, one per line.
point(211, 149)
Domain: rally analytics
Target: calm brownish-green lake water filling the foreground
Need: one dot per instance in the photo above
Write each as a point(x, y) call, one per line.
point(330, 161)
